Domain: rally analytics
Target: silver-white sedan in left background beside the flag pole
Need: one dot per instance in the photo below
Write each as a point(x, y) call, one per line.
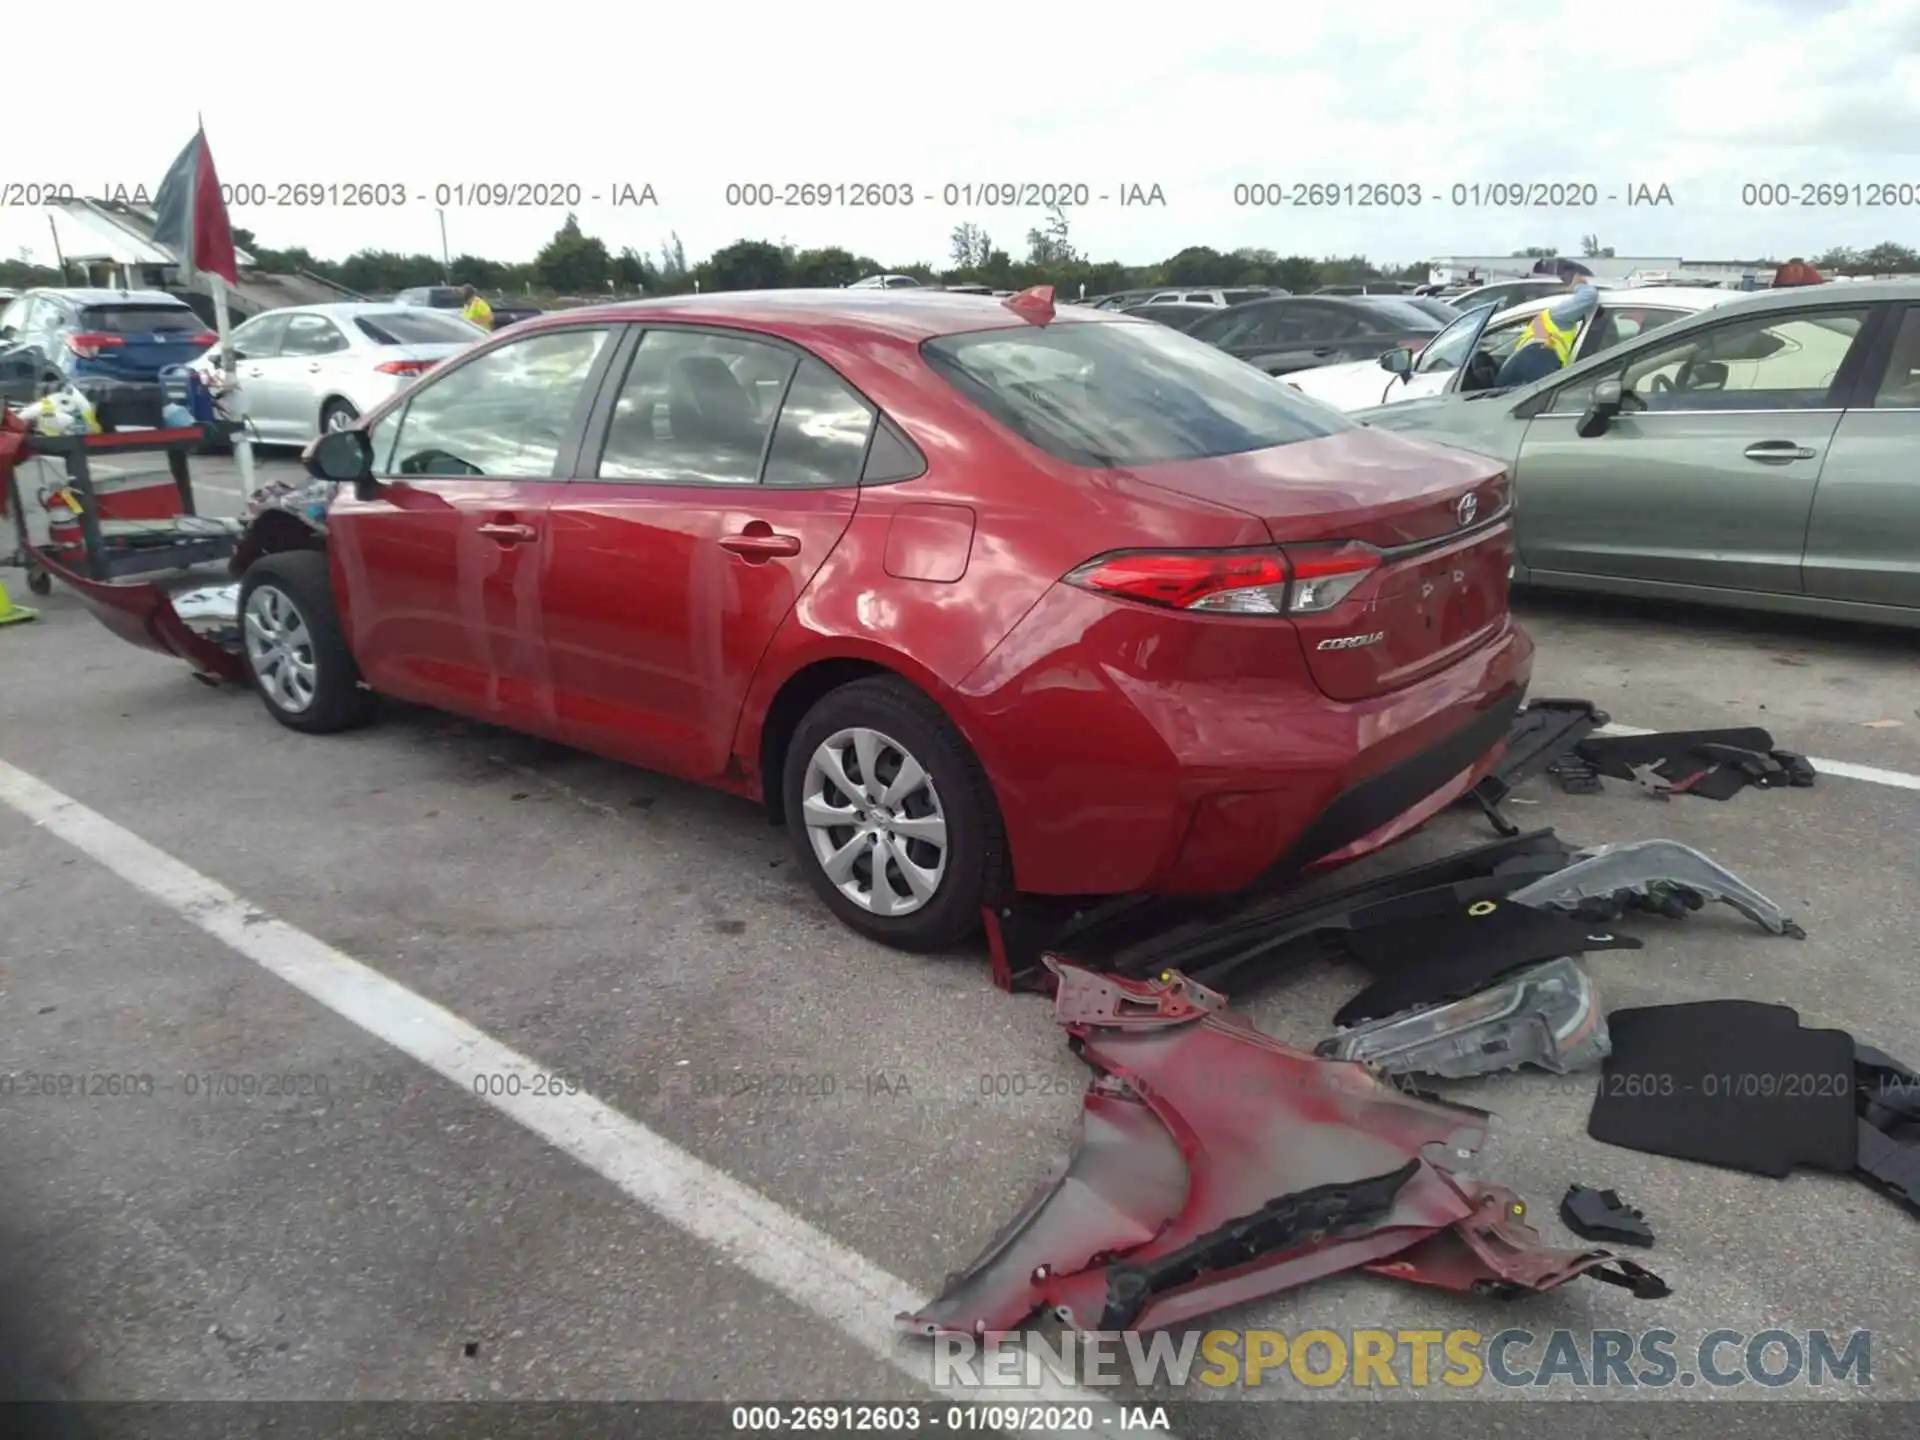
point(304, 370)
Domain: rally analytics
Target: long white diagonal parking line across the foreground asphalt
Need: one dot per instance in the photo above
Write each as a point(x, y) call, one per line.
point(757, 1236)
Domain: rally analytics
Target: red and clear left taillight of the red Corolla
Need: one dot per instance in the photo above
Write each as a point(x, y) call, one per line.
point(1234, 583)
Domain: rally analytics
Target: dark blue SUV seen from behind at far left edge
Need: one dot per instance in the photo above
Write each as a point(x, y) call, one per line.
point(110, 345)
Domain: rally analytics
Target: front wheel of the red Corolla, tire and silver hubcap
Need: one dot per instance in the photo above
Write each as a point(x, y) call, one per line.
point(295, 646)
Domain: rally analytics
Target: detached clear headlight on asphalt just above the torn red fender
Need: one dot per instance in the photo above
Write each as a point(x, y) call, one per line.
point(1547, 1017)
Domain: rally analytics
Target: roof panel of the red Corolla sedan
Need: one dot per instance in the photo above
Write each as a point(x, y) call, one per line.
point(911, 316)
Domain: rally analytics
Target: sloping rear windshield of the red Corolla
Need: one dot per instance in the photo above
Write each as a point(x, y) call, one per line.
point(1128, 393)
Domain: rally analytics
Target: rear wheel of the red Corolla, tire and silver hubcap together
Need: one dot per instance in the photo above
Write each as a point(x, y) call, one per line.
point(892, 817)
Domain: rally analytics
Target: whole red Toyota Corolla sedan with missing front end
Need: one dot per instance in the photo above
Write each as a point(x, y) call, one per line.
point(976, 596)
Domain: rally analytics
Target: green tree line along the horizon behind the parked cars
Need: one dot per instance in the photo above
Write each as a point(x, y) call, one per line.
point(579, 264)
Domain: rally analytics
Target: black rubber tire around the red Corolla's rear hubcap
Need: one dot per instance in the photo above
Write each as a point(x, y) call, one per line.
point(978, 871)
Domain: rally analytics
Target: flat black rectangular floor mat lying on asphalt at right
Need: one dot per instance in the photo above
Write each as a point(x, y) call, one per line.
point(1729, 1084)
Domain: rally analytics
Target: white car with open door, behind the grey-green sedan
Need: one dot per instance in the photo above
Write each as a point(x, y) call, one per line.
point(1468, 354)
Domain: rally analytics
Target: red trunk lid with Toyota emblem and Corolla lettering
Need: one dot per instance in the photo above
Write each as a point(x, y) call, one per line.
point(1437, 517)
